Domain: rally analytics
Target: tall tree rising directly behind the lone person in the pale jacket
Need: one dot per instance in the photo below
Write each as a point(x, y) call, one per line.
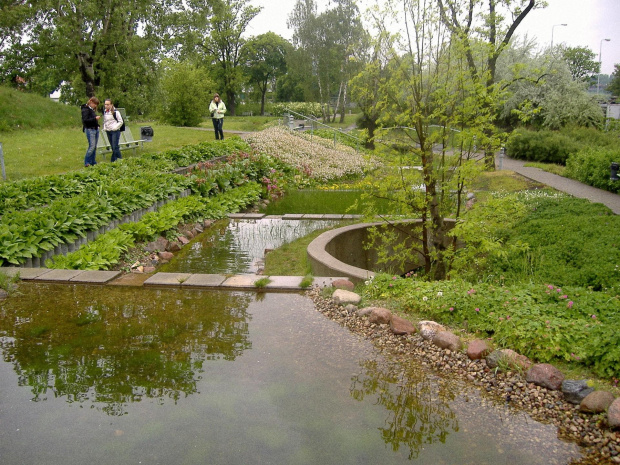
point(223, 44)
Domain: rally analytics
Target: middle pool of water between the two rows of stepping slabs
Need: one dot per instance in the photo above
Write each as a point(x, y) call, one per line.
point(238, 246)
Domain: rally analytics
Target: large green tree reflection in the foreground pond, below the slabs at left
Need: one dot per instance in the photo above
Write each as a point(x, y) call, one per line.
point(121, 345)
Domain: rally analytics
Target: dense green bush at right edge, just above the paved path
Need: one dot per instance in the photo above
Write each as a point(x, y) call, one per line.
point(591, 166)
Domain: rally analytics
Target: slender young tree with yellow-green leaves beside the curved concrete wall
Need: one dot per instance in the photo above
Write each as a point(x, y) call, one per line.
point(434, 114)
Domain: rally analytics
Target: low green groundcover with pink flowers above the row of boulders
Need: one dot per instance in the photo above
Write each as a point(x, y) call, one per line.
point(542, 321)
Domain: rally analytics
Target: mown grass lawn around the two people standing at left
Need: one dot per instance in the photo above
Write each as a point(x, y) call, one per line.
point(37, 152)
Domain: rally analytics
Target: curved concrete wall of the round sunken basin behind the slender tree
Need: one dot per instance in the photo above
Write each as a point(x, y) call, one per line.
point(341, 252)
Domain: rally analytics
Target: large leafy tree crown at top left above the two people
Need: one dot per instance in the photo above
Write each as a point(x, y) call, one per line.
point(87, 42)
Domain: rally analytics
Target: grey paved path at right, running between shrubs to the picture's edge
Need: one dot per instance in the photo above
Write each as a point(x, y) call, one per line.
point(570, 186)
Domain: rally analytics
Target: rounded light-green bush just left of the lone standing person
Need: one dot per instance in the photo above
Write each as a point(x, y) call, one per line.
point(184, 91)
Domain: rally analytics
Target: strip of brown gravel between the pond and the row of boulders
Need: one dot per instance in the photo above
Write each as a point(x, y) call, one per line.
point(601, 446)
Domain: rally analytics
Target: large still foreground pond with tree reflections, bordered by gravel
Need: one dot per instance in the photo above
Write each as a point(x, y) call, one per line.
point(115, 375)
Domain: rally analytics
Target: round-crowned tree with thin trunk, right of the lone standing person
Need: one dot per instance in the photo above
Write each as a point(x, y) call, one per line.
point(265, 61)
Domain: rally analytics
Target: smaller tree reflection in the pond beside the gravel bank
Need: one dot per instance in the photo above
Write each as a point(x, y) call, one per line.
point(418, 409)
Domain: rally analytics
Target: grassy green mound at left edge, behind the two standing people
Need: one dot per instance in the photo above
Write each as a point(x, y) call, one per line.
point(23, 110)
